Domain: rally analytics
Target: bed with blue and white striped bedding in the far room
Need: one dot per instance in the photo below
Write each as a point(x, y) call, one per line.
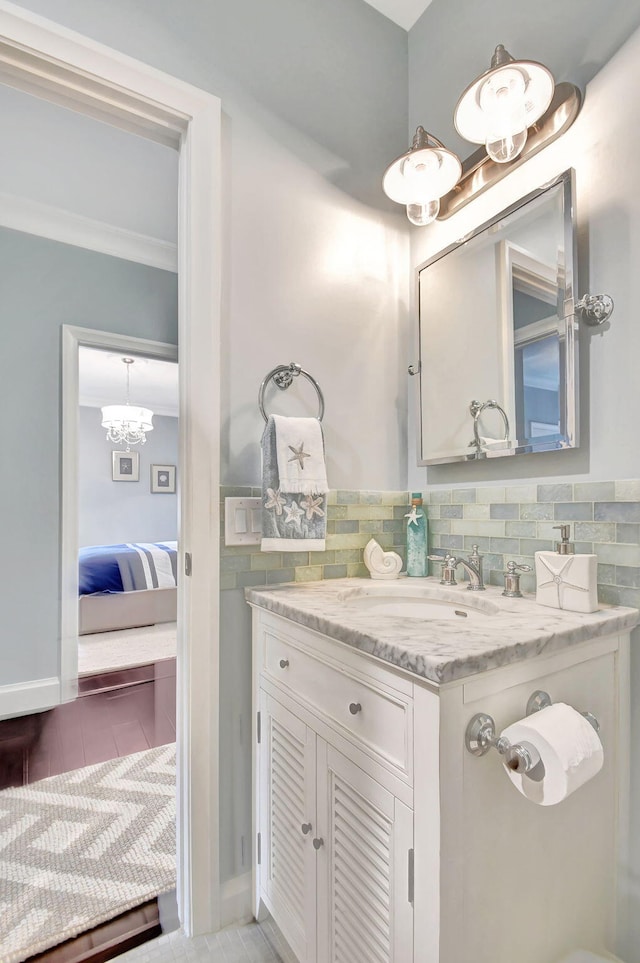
point(126, 586)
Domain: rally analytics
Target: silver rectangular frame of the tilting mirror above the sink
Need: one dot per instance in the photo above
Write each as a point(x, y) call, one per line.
point(570, 413)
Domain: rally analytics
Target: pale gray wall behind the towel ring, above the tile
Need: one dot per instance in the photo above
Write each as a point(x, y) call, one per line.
point(315, 106)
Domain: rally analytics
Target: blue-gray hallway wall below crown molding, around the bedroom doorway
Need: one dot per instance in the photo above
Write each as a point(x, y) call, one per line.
point(45, 285)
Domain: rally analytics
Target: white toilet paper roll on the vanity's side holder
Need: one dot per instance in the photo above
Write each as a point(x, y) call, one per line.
point(570, 751)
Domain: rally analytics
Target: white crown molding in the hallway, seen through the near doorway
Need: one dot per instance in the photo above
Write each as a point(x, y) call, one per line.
point(33, 217)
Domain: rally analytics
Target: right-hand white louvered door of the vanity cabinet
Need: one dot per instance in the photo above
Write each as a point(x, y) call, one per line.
point(364, 887)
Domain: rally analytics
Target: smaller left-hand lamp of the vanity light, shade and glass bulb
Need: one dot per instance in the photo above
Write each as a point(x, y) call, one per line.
point(421, 176)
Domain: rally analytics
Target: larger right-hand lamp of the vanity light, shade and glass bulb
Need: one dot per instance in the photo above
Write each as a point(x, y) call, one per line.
point(499, 107)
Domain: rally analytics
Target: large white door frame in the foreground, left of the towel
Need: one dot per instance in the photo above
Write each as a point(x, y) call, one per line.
point(59, 65)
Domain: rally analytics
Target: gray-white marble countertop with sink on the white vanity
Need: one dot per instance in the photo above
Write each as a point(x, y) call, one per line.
point(494, 632)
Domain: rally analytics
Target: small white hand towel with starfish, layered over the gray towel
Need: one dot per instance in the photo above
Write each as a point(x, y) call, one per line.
point(300, 454)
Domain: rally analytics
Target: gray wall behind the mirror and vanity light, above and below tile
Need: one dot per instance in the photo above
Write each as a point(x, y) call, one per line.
point(573, 39)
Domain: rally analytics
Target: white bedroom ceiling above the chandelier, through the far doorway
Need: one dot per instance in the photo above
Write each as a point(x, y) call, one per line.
point(103, 380)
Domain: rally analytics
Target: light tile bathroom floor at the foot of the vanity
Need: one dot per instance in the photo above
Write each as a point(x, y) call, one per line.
point(253, 943)
